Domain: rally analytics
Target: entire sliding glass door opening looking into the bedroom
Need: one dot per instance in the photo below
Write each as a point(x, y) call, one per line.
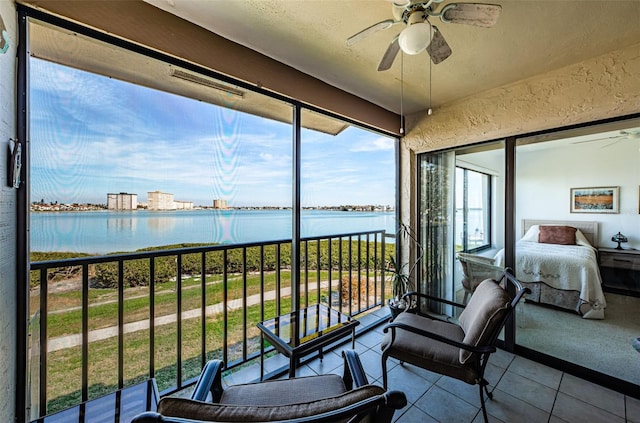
point(579, 314)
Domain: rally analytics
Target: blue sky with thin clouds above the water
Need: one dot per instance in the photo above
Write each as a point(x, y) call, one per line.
point(91, 135)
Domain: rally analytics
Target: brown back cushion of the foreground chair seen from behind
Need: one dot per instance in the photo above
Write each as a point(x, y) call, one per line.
point(198, 410)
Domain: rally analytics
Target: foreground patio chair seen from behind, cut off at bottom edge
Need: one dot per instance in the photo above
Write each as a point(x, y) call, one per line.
point(324, 398)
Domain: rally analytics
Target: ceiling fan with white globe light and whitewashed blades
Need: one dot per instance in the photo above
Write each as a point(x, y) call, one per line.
point(419, 34)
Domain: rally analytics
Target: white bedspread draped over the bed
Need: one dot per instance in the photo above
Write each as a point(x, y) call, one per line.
point(564, 267)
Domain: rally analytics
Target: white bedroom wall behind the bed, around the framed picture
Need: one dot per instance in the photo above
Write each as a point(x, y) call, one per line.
point(576, 166)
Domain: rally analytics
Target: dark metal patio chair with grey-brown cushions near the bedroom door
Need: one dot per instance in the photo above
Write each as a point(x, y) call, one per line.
point(459, 349)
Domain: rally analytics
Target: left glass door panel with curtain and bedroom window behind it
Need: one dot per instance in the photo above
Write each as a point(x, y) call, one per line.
point(461, 198)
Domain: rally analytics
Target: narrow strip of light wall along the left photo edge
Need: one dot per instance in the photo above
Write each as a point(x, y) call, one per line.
point(7, 220)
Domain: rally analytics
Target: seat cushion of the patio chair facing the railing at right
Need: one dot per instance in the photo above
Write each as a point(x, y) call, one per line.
point(426, 352)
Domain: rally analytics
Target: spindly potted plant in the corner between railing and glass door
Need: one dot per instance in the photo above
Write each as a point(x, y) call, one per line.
point(402, 274)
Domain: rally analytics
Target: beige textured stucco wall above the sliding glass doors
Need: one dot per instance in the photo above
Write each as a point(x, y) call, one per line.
point(604, 87)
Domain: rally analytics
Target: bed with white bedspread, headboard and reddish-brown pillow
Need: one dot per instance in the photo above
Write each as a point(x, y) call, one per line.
point(565, 276)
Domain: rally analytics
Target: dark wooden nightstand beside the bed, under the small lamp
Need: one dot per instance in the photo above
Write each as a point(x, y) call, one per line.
point(620, 271)
